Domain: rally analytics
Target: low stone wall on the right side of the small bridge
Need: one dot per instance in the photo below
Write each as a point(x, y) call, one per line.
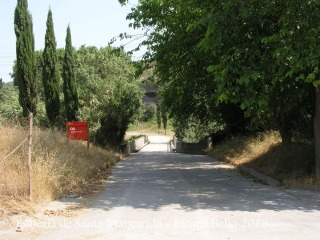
point(191, 148)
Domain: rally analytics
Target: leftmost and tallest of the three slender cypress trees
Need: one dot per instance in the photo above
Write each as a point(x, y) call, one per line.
point(26, 61)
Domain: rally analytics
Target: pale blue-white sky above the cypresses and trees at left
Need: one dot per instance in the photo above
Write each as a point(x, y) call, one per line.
point(92, 23)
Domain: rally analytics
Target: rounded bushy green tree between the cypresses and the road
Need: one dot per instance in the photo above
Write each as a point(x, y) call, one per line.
point(109, 94)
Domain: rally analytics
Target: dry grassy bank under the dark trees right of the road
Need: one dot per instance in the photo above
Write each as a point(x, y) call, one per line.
point(290, 164)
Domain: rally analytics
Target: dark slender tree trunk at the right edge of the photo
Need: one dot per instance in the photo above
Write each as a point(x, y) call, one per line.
point(316, 127)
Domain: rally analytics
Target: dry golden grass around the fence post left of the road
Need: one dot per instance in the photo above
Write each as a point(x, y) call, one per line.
point(59, 167)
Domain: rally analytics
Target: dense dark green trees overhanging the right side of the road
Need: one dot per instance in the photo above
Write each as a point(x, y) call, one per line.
point(236, 68)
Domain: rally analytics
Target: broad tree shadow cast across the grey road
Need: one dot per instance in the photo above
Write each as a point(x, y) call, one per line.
point(153, 180)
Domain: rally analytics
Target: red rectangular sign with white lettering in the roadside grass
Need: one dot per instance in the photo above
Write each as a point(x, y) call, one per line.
point(78, 130)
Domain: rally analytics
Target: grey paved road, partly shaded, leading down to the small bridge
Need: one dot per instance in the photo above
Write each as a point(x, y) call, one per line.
point(159, 195)
